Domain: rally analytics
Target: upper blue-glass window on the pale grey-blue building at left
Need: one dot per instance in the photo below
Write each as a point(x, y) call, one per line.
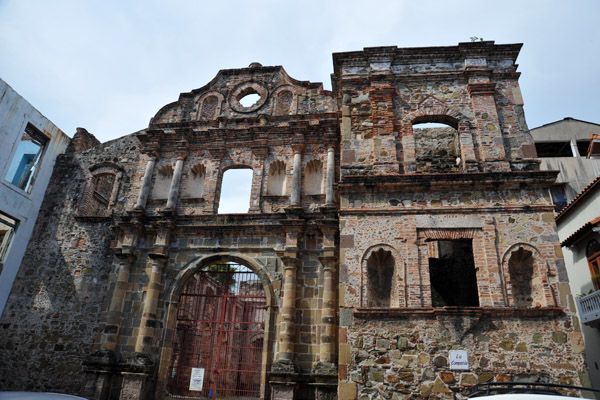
point(25, 162)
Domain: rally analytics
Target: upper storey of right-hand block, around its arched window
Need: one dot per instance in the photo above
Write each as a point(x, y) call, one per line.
point(473, 87)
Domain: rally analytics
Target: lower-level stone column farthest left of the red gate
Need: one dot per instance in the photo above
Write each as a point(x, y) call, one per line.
point(110, 335)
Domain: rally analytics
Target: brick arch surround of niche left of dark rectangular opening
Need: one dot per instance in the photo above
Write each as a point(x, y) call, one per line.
point(396, 297)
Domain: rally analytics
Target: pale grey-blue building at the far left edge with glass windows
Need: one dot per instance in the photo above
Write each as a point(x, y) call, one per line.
point(29, 145)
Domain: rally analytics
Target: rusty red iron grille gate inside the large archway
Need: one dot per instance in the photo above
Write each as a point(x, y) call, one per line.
point(220, 328)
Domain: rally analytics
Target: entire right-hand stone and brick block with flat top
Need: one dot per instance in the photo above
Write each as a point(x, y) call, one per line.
point(400, 198)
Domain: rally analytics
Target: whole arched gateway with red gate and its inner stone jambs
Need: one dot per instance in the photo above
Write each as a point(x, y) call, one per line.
point(221, 308)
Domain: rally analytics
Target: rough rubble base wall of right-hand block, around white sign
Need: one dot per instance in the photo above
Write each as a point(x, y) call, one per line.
point(407, 356)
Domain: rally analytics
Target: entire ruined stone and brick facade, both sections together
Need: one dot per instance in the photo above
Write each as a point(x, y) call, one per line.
point(353, 218)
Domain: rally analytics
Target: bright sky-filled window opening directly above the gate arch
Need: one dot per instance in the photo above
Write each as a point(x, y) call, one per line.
point(236, 187)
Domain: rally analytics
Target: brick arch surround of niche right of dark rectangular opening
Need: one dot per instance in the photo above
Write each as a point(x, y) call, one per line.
point(542, 294)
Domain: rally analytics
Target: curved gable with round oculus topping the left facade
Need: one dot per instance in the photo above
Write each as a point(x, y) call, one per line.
point(280, 95)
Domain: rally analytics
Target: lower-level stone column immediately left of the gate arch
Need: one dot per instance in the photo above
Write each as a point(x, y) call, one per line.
point(149, 320)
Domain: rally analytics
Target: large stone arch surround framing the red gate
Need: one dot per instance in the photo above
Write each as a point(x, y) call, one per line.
point(175, 289)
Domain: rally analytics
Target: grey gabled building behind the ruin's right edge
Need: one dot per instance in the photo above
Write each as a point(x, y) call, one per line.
point(563, 146)
